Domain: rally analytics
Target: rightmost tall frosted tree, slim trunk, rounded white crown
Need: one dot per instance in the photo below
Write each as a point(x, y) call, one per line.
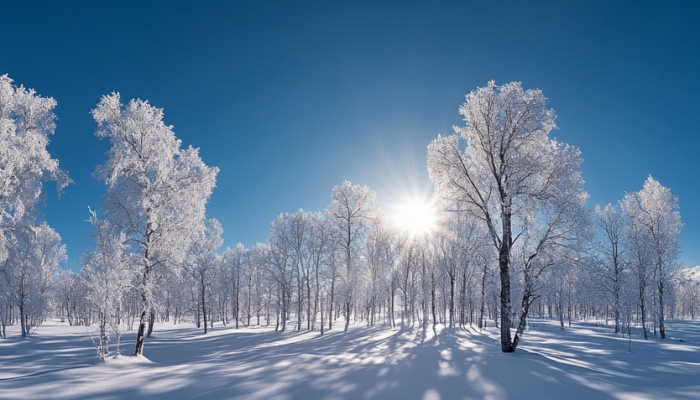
point(655, 221)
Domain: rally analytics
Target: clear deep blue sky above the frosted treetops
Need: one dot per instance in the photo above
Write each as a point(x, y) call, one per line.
point(289, 99)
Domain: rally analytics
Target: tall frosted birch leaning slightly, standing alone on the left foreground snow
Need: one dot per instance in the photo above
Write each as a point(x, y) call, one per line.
point(156, 191)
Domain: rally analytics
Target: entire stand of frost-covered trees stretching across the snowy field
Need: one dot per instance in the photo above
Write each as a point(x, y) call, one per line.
point(507, 237)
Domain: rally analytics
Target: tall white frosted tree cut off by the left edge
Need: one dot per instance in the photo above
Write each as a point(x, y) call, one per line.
point(26, 122)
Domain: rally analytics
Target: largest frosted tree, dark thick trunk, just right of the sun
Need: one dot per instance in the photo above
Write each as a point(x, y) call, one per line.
point(513, 178)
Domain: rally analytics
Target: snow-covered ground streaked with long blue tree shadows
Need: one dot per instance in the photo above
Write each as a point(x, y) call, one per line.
point(583, 362)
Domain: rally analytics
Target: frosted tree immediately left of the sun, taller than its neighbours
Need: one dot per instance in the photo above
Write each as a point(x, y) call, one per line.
point(352, 211)
